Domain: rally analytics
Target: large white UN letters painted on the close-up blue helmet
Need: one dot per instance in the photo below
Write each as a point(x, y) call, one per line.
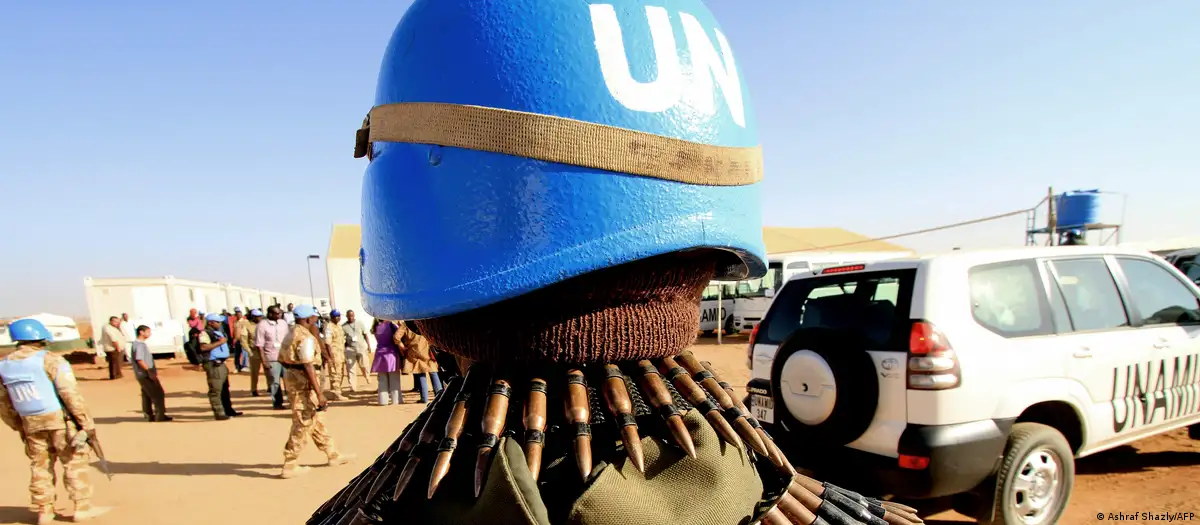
point(673, 86)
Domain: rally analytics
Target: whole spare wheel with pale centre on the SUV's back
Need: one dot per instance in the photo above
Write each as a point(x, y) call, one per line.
point(825, 385)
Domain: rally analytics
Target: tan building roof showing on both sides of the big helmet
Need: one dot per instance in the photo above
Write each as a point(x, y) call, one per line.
point(347, 239)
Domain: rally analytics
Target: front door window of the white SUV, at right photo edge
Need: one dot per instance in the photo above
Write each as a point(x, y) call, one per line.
point(1161, 298)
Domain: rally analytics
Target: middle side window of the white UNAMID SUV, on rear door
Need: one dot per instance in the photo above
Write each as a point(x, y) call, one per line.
point(1091, 294)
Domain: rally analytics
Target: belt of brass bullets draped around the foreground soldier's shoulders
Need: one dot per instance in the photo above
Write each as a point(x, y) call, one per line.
point(611, 397)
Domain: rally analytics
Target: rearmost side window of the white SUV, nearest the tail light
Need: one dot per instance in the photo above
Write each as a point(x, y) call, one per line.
point(1009, 299)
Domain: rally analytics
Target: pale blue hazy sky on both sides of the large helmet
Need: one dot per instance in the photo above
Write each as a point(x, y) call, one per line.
point(212, 141)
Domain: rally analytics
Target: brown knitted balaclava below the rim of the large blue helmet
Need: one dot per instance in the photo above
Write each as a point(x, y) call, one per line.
point(643, 310)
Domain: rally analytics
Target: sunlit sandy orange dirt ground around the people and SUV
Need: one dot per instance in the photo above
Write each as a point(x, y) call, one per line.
point(196, 470)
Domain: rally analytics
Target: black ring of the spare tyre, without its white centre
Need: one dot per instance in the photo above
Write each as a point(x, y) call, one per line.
point(855, 378)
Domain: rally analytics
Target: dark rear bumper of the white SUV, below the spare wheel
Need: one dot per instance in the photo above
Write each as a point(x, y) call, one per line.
point(961, 458)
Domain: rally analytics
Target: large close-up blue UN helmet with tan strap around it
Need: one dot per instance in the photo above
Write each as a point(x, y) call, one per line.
point(529, 142)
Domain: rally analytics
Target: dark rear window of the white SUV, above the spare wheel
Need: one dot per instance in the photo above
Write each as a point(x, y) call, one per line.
point(873, 304)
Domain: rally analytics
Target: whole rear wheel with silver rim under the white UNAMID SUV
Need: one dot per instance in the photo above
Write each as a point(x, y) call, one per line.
point(1035, 479)
